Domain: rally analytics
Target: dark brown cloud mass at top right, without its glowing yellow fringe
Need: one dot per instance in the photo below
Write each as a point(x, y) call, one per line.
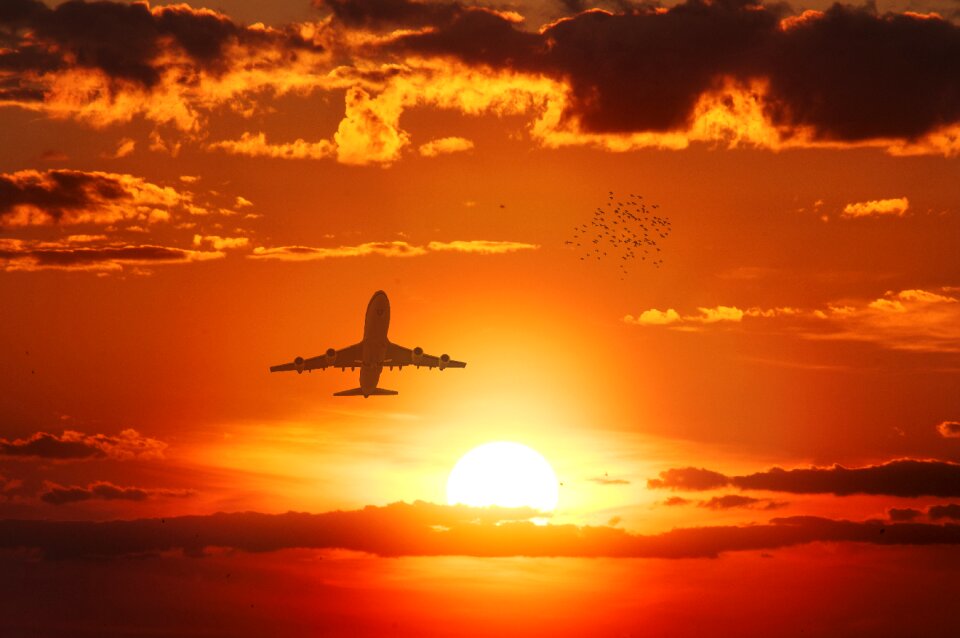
point(846, 74)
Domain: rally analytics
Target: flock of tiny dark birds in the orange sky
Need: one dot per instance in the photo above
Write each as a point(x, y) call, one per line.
point(627, 230)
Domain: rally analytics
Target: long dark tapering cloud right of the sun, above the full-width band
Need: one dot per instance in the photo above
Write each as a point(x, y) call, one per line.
point(902, 477)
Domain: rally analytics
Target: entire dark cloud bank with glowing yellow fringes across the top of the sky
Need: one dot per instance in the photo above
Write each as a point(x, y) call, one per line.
point(735, 73)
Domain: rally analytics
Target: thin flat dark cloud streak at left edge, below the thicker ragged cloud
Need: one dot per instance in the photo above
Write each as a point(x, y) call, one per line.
point(30, 256)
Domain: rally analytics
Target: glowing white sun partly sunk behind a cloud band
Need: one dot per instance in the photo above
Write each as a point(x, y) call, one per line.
point(505, 474)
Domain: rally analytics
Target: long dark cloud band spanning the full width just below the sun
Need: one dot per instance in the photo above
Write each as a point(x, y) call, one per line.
point(423, 529)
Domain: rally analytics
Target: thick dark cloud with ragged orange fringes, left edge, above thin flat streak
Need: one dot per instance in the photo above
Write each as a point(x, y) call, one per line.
point(70, 197)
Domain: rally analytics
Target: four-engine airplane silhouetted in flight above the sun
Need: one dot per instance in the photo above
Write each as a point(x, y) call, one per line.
point(371, 354)
